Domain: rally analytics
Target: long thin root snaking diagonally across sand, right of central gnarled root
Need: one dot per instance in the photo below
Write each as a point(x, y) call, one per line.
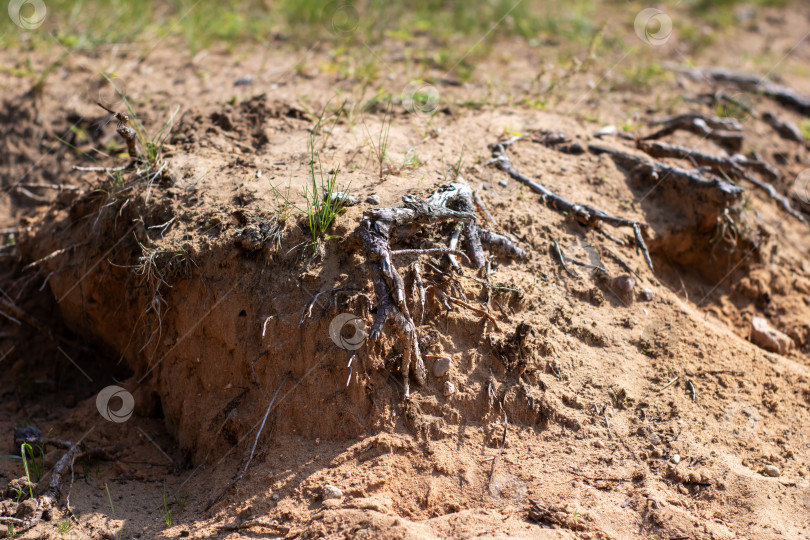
point(587, 215)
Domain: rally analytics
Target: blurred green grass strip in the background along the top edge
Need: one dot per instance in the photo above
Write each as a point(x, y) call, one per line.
point(450, 35)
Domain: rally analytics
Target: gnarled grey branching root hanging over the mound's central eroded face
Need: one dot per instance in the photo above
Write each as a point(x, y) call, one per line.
point(380, 228)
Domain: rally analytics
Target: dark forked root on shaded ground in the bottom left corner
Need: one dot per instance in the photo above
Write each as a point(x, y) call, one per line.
point(30, 514)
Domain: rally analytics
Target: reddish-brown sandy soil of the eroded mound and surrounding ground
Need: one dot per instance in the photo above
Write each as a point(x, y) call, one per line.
point(582, 411)
